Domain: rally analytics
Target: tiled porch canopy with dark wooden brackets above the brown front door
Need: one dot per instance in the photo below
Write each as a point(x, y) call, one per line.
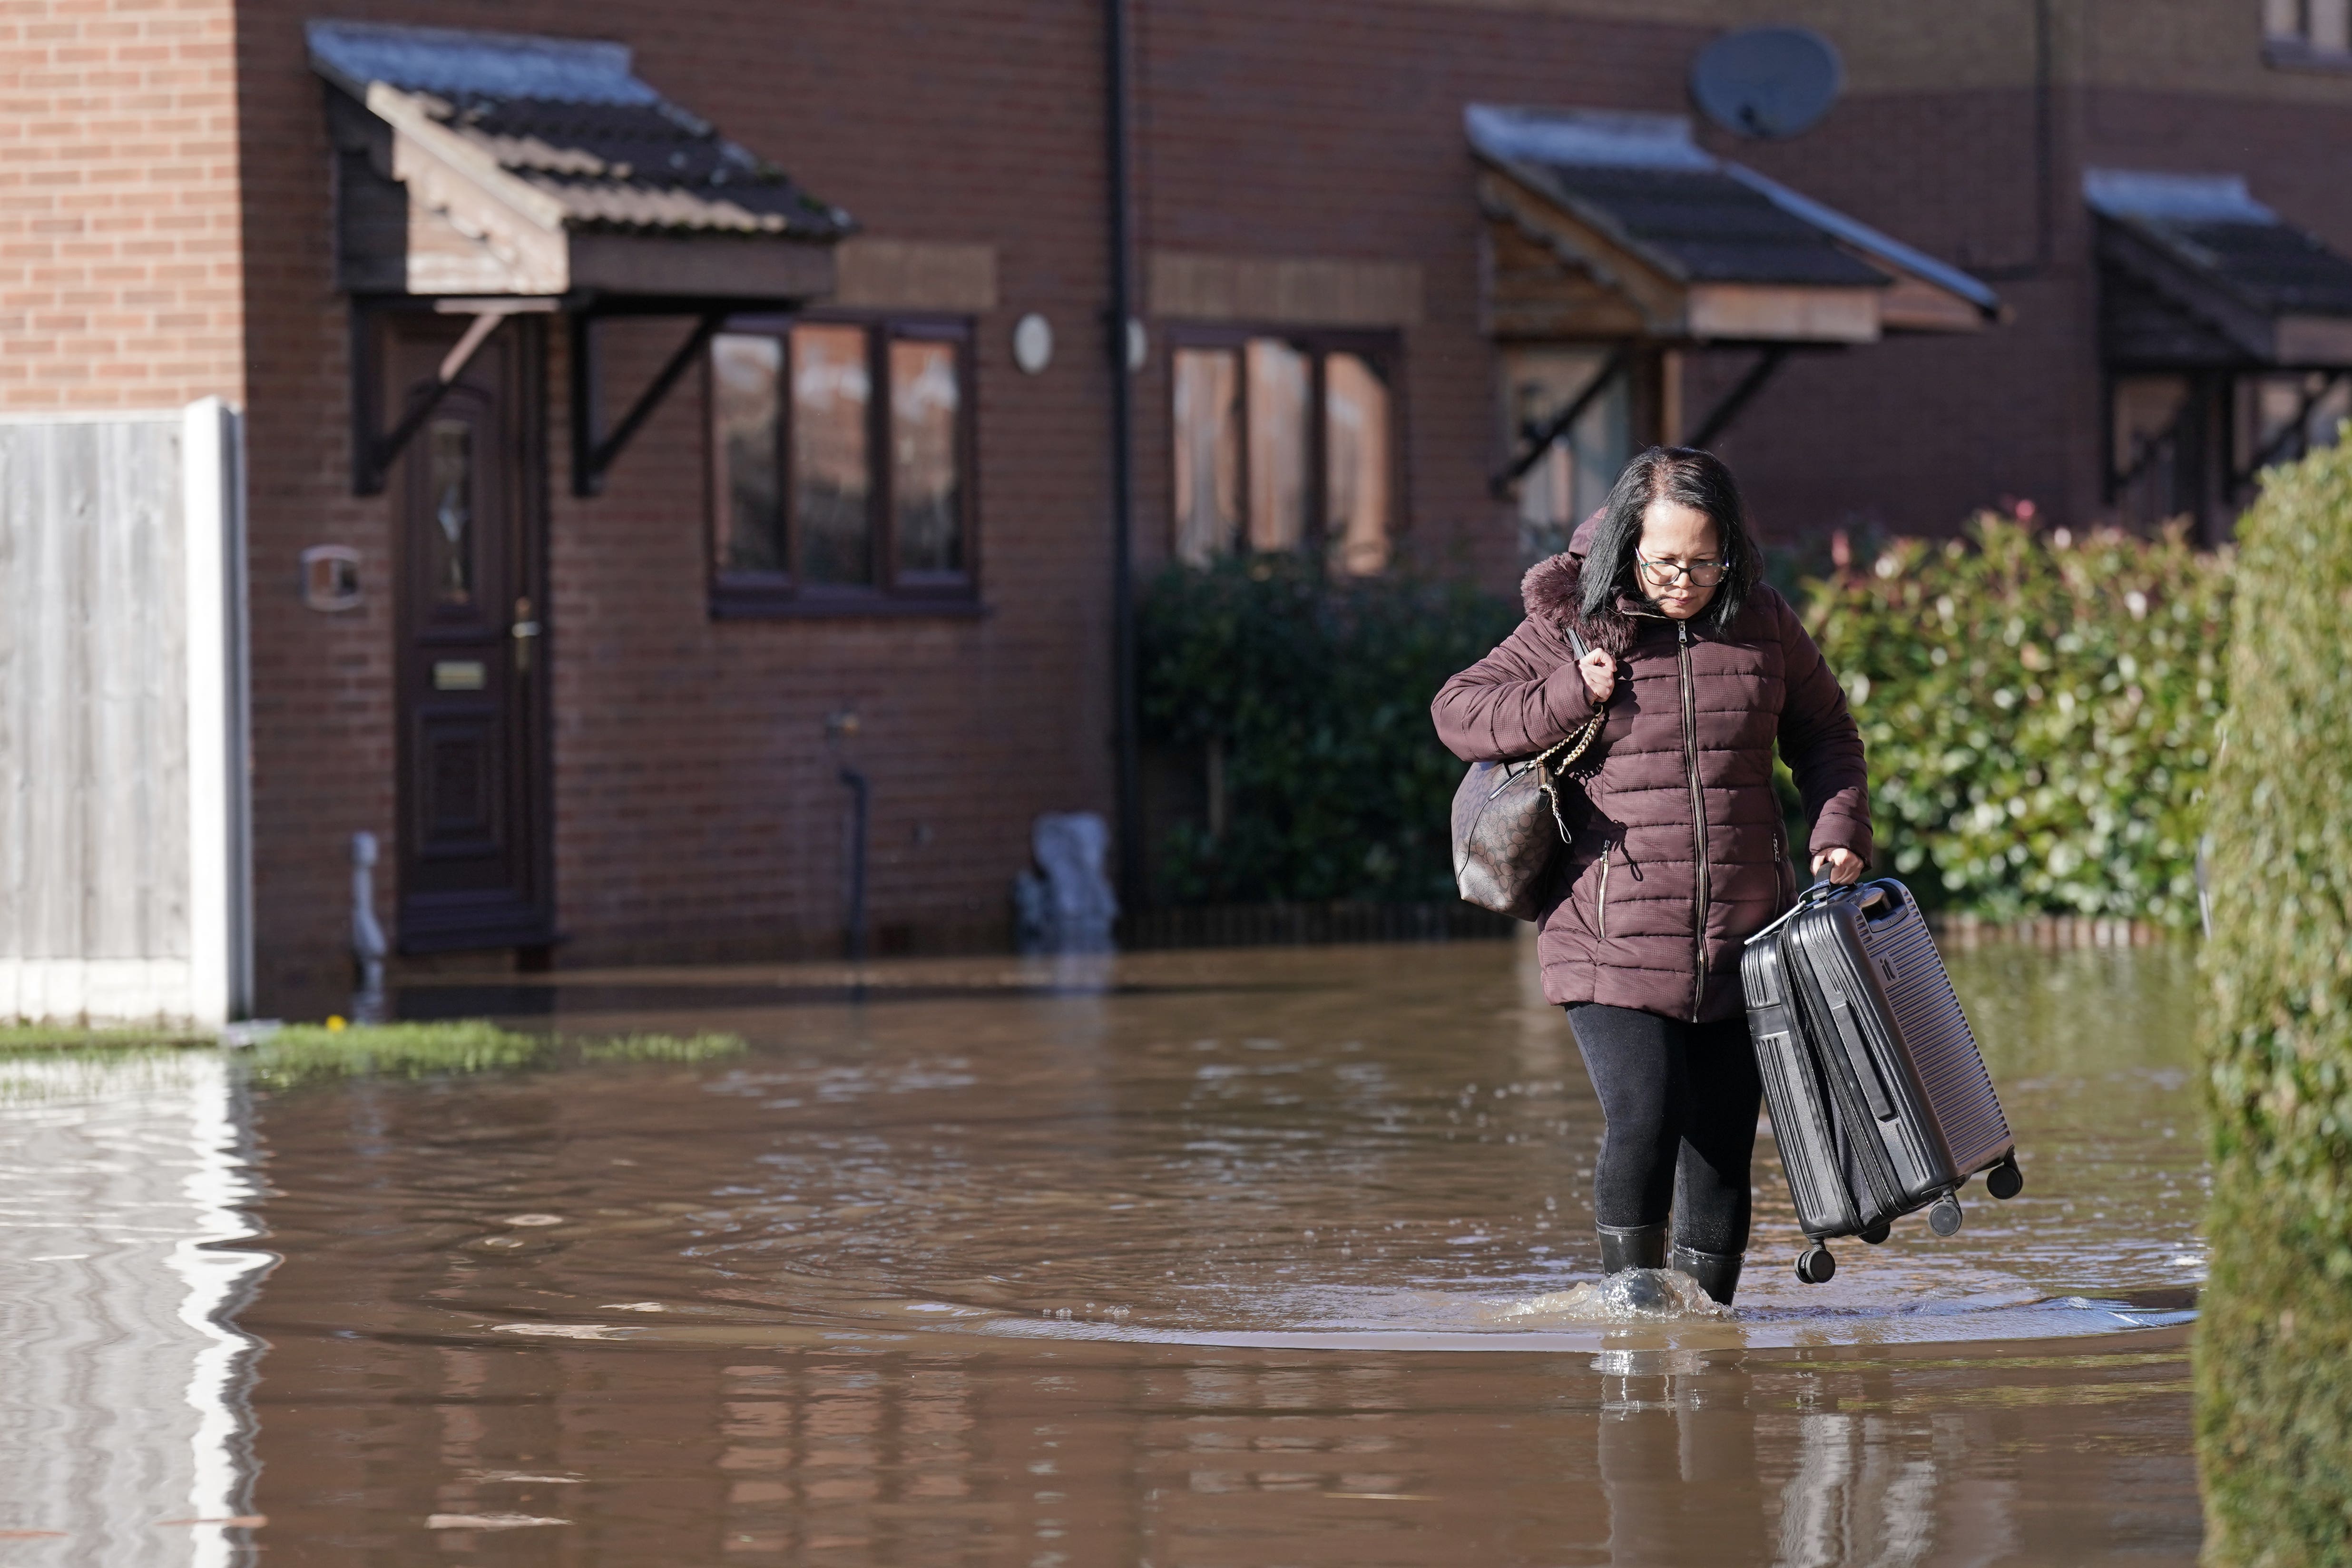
point(495, 175)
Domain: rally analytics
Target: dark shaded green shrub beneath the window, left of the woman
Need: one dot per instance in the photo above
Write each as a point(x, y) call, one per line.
point(1318, 692)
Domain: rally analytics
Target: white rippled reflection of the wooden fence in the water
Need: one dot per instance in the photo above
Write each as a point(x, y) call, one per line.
point(126, 1398)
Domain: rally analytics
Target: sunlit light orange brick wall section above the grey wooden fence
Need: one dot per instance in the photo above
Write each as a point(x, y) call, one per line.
point(119, 206)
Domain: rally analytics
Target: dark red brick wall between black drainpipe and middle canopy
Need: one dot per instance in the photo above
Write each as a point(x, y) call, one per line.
point(1337, 130)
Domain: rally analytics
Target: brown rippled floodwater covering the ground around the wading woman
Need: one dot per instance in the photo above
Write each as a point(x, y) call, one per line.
point(1212, 1259)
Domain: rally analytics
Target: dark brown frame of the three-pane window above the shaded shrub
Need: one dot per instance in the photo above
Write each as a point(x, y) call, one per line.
point(1379, 347)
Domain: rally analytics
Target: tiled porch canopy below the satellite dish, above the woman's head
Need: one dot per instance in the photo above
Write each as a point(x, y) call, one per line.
point(1617, 241)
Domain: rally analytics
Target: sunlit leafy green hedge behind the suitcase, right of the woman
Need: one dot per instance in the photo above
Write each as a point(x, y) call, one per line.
point(2040, 713)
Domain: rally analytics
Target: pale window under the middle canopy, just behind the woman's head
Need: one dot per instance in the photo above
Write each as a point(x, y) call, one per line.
point(1575, 474)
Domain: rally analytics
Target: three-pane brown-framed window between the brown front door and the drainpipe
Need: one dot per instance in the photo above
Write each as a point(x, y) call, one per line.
point(843, 467)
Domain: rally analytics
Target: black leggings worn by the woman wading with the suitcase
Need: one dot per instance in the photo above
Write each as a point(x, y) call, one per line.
point(1681, 1104)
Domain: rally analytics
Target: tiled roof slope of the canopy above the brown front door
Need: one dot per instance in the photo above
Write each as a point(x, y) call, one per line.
point(573, 123)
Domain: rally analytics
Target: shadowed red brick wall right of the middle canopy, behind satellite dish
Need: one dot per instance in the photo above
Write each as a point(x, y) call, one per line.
point(1916, 434)
